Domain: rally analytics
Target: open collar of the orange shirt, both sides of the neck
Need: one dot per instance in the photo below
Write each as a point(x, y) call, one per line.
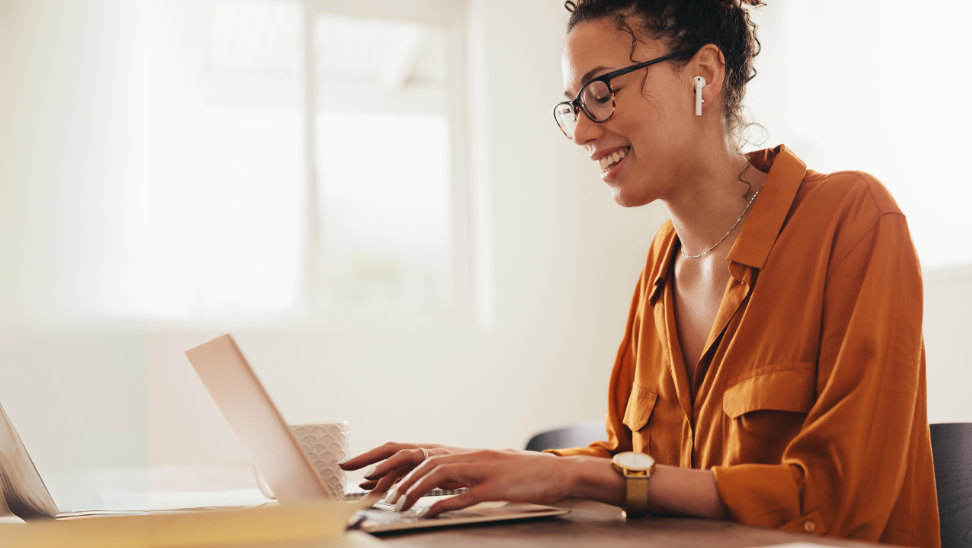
point(785, 172)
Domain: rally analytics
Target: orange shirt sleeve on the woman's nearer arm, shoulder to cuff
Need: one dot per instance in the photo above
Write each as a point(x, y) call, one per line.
point(841, 474)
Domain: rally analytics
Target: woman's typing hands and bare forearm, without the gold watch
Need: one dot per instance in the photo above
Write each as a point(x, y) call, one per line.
point(525, 476)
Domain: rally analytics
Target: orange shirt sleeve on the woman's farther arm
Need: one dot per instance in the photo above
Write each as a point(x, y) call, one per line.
point(619, 436)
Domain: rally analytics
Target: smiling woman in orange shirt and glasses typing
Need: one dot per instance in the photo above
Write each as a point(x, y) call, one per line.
point(772, 364)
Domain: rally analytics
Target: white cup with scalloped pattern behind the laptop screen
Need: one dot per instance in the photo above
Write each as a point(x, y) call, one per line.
point(325, 445)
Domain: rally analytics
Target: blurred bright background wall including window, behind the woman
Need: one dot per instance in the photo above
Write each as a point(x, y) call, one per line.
point(162, 184)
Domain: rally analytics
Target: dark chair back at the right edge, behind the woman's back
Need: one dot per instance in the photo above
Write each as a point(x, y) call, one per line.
point(952, 450)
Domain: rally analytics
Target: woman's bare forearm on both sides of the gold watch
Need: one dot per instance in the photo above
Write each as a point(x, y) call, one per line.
point(671, 490)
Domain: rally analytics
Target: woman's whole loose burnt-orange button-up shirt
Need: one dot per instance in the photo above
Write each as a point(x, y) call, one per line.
point(809, 403)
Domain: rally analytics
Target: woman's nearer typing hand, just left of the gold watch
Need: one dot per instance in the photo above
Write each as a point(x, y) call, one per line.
point(513, 476)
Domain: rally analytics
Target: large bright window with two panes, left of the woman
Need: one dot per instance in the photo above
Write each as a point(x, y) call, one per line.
point(246, 222)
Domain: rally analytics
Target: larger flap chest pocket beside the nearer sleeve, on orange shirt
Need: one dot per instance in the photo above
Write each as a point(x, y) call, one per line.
point(766, 409)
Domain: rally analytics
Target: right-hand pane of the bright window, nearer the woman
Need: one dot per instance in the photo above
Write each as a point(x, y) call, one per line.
point(383, 158)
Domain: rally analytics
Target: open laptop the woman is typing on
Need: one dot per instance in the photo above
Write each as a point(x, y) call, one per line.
point(282, 462)
